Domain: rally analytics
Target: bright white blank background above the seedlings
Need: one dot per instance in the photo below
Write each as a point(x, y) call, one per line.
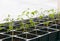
point(14, 7)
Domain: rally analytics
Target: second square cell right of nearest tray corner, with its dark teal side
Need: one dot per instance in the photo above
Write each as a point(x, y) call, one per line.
point(43, 36)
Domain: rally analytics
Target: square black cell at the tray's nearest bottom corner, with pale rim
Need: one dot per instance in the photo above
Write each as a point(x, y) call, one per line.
point(28, 37)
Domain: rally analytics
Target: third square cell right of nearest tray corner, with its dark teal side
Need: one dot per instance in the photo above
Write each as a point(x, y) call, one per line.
point(52, 35)
